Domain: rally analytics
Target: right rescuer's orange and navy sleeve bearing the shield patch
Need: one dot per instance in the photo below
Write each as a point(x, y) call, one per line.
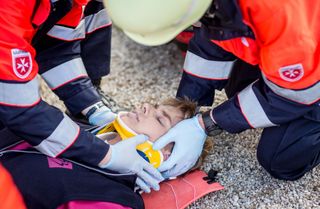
point(289, 87)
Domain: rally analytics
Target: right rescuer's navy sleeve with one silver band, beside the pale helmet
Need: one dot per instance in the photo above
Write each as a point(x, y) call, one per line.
point(206, 68)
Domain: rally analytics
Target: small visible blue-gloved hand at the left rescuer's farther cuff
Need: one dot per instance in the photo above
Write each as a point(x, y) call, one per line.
point(100, 115)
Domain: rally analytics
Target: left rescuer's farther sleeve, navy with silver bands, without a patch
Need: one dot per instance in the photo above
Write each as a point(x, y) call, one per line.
point(58, 46)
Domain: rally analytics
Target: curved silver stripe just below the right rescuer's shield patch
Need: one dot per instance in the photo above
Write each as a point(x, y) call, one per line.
point(305, 96)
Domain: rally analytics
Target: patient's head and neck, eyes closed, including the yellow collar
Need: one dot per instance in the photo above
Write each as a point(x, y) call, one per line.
point(152, 121)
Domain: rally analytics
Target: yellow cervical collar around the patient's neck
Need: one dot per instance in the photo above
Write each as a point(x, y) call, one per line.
point(145, 149)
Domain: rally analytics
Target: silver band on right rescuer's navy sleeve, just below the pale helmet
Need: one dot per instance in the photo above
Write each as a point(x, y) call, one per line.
point(206, 68)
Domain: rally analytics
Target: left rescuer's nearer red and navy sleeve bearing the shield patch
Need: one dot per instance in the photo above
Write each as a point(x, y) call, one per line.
point(21, 108)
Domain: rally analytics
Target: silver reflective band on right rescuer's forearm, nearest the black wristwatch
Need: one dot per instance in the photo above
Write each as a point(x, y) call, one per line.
point(252, 110)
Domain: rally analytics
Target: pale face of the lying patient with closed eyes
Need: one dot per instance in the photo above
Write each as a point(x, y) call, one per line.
point(152, 121)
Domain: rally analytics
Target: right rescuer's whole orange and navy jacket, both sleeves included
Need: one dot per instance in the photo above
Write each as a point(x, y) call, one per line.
point(282, 37)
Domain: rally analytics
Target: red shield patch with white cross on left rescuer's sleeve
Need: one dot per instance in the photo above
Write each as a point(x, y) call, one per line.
point(21, 63)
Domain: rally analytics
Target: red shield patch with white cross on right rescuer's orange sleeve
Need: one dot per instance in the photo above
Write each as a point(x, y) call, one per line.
point(291, 73)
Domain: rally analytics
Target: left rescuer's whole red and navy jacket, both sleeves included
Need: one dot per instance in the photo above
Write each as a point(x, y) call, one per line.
point(54, 37)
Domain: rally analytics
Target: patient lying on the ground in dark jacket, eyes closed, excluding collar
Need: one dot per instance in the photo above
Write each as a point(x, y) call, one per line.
point(58, 183)
